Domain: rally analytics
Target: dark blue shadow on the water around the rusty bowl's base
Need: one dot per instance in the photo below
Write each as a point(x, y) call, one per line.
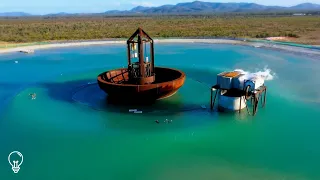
point(88, 93)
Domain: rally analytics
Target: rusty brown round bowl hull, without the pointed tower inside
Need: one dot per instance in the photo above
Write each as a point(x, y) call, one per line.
point(115, 83)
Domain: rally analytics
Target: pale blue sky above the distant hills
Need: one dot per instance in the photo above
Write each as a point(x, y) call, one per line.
point(41, 7)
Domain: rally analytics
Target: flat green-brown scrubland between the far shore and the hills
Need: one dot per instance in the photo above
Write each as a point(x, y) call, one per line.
point(304, 29)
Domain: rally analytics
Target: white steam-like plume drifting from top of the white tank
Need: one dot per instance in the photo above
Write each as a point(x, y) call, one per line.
point(266, 74)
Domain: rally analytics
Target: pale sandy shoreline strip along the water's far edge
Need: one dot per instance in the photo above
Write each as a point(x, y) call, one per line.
point(299, 50)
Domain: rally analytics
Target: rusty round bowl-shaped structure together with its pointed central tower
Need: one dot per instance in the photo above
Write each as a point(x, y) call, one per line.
point(141, 81)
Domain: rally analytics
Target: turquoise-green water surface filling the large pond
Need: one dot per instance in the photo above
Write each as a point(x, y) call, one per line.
point(69, 132)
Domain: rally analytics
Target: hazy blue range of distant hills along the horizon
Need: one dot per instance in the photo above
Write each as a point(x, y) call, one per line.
point(197, 7)
